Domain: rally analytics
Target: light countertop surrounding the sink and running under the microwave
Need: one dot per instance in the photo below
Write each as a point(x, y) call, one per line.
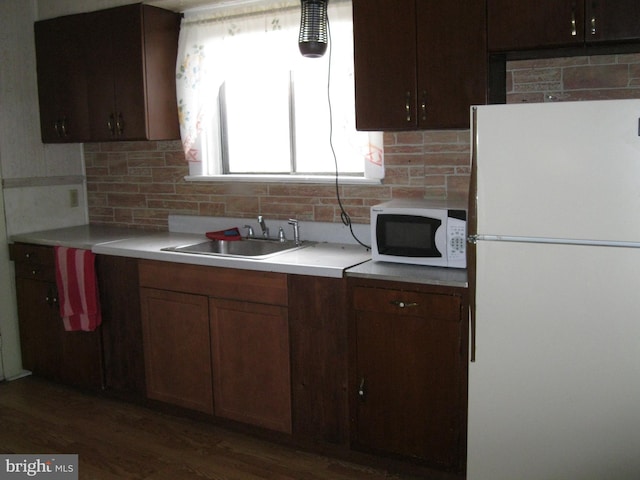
point(324, 259)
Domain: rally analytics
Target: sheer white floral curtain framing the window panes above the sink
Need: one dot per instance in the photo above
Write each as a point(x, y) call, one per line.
point(213, 44)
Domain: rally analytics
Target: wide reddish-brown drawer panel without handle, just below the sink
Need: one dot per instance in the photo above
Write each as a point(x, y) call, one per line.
point(248, 285)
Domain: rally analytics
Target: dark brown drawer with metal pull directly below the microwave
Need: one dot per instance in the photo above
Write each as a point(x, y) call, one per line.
point(401, 302)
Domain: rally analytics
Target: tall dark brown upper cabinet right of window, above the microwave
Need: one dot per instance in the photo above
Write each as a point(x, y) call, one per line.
point(418, 64)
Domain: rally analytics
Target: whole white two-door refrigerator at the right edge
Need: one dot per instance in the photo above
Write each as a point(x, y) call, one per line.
point(554, 376)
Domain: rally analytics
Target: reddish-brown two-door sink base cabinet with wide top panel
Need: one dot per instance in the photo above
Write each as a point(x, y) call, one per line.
point(216, 340)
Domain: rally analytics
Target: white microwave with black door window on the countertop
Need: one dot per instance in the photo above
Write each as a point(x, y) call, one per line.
point(420, 232)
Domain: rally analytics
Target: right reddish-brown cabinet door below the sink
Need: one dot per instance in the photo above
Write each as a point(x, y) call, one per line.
point(250, 349)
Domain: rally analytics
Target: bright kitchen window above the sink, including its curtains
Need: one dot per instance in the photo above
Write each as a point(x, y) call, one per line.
point(250, 104)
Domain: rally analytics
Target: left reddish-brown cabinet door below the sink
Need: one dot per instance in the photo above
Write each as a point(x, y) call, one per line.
point(175, 330)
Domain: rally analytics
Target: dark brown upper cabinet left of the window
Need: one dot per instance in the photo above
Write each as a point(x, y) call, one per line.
point(114, 72)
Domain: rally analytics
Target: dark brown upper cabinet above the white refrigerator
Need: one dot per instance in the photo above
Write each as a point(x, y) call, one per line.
point(537, 24)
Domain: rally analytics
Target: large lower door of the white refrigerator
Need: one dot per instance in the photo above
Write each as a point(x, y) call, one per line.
point(554, 392)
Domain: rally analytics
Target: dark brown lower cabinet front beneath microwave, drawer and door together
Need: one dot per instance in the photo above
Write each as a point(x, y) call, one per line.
point(410, 375)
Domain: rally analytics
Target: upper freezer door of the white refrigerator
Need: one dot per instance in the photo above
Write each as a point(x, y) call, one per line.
point(559, 170)
